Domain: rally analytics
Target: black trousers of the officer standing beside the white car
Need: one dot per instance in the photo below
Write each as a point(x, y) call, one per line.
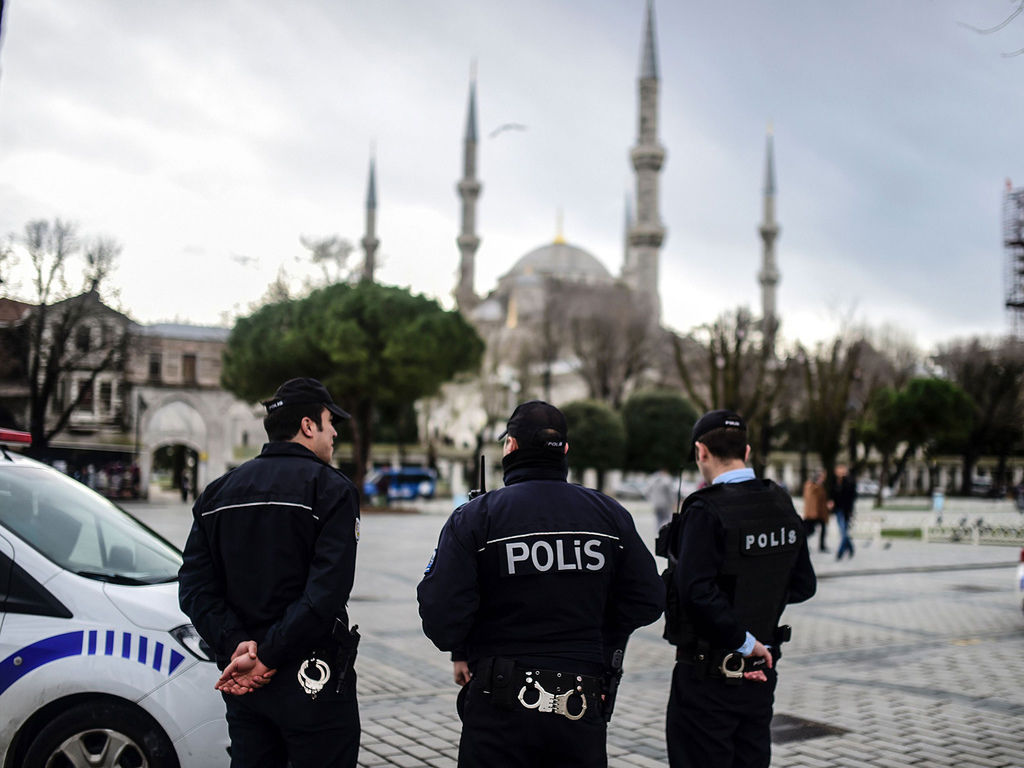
point(281, 726)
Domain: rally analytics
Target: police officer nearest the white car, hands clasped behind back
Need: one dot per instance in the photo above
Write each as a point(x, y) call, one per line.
point(268, 571)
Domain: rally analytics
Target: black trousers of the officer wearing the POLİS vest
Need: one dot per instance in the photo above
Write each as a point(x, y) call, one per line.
point(714, 726)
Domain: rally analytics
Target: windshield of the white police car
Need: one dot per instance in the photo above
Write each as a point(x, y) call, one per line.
point(81, 531)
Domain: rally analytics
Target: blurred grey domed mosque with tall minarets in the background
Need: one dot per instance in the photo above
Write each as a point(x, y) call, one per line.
point(556, 297)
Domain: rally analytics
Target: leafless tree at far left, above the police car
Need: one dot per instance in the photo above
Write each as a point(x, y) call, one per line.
point(70, 330)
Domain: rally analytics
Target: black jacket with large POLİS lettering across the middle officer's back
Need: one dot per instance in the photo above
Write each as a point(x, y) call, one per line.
point(541, 571)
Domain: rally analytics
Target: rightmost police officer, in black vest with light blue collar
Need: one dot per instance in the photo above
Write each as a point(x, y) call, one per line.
point(738, 557)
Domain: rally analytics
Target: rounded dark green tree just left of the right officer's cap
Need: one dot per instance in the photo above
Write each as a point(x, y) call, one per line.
point(659, 424)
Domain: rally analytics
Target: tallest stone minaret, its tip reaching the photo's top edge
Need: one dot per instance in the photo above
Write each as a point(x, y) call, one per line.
point(648, 234)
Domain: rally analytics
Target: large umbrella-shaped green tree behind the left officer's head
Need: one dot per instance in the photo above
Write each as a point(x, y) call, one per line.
point(375, 348)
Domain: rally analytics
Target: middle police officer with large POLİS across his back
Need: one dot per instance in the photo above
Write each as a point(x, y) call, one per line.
point(535, 589)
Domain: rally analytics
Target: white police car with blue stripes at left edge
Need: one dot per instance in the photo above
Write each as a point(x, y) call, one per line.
point(99, 667)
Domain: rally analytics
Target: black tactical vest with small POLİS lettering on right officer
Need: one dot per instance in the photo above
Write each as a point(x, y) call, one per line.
point(763, 537)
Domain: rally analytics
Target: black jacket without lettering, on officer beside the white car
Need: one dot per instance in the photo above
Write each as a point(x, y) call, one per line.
point(272, 556)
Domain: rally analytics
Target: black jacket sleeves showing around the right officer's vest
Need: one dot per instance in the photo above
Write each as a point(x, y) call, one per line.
point(702, 549)
